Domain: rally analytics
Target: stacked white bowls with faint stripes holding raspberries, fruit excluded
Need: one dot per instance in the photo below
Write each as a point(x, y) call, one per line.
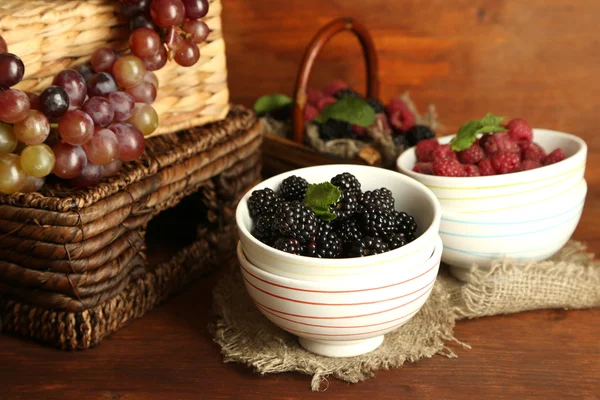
point(524, 216)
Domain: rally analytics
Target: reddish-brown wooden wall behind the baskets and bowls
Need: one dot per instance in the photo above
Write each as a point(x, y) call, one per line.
point(539, 59)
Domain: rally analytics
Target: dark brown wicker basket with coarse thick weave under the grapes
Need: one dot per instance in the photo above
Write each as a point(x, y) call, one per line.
point(73, 264)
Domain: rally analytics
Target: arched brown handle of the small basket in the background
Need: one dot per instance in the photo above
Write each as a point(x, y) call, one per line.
point(312, 52)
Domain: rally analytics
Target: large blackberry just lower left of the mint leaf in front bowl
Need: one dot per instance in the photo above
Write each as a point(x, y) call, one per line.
point(295, 220)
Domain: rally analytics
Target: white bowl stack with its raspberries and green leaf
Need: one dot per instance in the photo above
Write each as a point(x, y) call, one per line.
point(506, 191)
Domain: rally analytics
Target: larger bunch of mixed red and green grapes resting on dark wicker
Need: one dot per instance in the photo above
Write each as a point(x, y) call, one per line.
point(81, 128)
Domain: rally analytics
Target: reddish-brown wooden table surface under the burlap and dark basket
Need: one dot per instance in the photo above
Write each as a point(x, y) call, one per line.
point(168, 354)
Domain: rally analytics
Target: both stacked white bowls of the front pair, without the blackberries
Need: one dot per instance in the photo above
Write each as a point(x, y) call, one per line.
point(343, 307)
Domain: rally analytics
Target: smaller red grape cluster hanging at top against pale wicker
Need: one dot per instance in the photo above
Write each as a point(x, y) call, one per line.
point(174, 22)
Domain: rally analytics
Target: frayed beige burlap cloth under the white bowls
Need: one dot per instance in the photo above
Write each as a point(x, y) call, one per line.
point(570, 280)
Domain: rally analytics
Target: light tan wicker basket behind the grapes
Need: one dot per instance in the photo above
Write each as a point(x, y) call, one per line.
point(54, 35)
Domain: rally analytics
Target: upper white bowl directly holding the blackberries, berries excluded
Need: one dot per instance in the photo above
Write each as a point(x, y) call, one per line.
point(410, 196)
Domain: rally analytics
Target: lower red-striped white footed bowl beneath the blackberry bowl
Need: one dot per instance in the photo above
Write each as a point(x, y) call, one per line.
point(341, 319)
